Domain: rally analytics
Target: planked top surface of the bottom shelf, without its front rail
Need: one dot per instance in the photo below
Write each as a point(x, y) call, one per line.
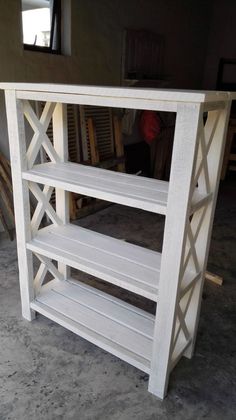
point(124, 325)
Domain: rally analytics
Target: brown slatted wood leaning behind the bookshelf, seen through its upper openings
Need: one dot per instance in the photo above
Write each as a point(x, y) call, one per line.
point(101, 146)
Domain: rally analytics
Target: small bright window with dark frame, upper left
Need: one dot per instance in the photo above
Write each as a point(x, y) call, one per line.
point(41, 23)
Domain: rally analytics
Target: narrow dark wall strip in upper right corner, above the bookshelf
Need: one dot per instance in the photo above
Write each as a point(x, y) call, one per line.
point(221, 40)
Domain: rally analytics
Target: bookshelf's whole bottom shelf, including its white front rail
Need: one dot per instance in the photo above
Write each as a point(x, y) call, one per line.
point(110, 323)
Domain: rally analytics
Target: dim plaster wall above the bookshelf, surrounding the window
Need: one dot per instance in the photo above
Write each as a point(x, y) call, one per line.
point(97, 29)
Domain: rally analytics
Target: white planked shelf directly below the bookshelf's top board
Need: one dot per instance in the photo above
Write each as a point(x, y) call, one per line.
point(84, 180)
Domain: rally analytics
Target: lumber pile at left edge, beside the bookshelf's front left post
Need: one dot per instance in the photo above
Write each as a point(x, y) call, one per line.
point(6, 197)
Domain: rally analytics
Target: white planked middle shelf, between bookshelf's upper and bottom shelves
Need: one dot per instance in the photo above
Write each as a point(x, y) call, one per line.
point(126, 265)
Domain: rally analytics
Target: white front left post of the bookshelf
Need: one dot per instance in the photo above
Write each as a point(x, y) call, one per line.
point(16, 130)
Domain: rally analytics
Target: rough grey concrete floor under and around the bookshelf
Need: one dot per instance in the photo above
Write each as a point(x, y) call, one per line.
point(47, 372)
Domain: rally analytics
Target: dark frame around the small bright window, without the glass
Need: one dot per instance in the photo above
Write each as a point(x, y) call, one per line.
point(55, 32)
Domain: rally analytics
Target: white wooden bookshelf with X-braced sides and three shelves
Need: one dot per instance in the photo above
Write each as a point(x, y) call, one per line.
point(173, 279)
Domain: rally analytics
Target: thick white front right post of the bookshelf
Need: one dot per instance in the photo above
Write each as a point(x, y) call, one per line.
point(185, 143)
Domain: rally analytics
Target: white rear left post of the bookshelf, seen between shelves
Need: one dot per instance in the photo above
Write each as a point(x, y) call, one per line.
point(60, 137)
